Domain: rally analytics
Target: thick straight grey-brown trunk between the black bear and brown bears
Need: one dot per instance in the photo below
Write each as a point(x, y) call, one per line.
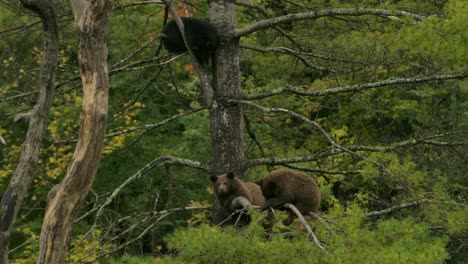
point(226, 119)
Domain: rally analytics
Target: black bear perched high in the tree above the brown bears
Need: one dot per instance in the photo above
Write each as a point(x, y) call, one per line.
point(201, 36)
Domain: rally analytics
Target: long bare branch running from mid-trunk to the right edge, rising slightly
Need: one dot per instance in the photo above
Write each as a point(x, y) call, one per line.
point(356, 88)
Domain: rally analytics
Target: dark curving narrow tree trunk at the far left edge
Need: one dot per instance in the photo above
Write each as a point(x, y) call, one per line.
point(37, 122)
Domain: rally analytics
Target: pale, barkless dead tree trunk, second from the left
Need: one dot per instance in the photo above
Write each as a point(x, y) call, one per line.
point(64, 200)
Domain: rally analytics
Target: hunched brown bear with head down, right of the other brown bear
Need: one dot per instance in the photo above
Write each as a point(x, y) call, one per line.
point(283, 186)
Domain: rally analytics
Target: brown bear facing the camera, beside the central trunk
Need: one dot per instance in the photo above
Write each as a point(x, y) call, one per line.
point(227, 187)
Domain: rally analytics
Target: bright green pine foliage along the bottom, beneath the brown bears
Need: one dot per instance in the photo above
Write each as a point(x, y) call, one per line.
point(355, 241)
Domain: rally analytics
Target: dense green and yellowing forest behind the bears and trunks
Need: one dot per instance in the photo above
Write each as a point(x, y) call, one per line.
point(374, 106)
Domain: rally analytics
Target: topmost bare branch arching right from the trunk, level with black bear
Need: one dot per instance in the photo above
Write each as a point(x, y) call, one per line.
point(323, 13)
